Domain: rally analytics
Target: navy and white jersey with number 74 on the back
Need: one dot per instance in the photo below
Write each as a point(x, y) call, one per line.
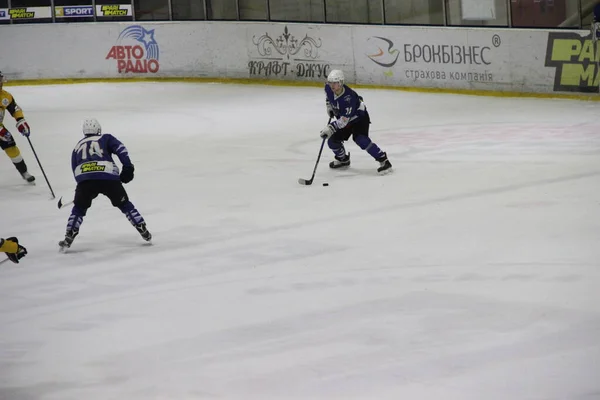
point(92, 158)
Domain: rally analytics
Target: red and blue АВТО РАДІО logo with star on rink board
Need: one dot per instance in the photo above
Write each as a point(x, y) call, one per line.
point(136, 51)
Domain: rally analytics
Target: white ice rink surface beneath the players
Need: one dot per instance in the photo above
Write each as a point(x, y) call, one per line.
point(471, 272)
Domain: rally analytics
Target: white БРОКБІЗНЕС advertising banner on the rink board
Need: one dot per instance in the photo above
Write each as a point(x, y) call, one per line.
point(432, 57)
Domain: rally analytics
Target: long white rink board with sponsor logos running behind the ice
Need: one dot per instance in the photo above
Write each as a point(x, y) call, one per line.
point(427, 57)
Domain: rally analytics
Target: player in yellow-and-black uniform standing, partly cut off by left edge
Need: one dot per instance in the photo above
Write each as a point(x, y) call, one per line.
point(7, 142)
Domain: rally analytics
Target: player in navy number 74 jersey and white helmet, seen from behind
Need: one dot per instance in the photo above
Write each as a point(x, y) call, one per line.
point(96, 173)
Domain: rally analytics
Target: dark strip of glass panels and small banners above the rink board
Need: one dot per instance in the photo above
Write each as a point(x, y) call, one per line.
point(569, 14)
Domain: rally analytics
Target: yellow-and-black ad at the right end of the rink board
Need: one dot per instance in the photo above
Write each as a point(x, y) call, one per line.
point(575, 61)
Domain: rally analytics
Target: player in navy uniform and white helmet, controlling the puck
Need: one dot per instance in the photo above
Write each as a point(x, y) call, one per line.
point(351, 118)
